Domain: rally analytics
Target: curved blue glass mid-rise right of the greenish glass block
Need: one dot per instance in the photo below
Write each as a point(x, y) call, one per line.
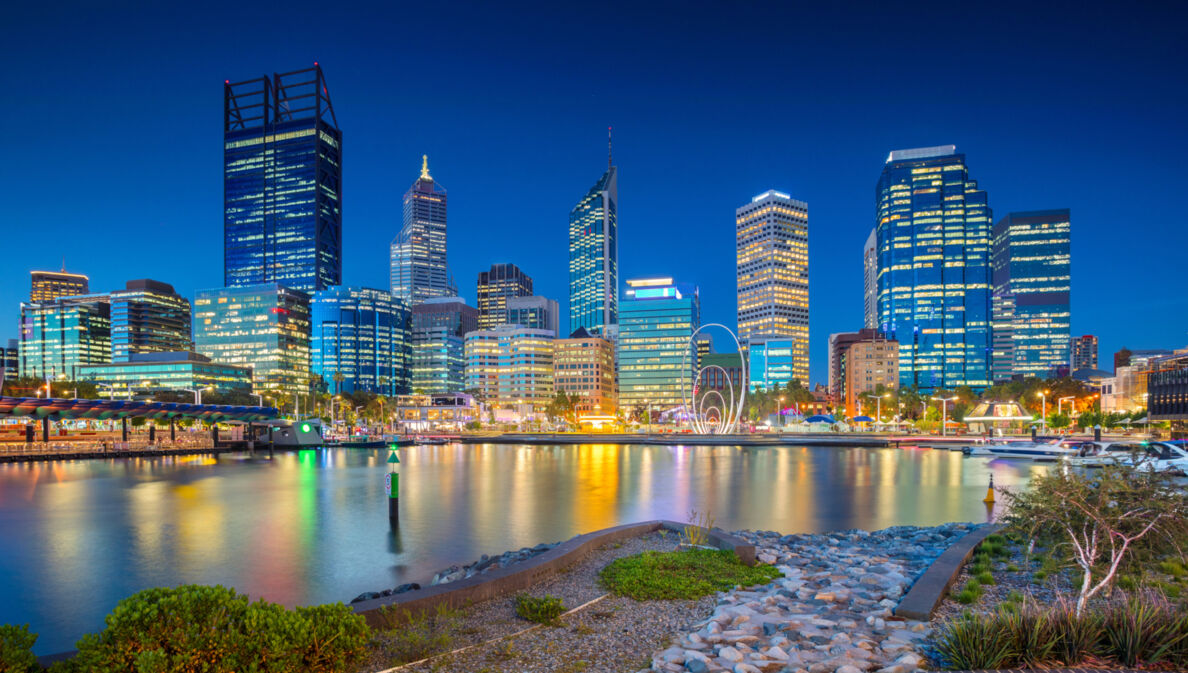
point(362, 341)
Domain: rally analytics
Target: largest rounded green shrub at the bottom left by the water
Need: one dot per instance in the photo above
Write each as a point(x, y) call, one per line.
point(216, 630)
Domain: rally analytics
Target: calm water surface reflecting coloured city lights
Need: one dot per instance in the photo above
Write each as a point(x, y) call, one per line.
point(313, 527)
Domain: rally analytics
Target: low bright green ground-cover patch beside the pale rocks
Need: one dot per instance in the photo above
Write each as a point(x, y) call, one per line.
point(690, 574)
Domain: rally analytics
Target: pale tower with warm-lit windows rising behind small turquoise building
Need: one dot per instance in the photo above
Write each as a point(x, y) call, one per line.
point(773, 246)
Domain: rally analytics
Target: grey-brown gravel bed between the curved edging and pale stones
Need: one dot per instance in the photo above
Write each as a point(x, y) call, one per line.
point(615, 634)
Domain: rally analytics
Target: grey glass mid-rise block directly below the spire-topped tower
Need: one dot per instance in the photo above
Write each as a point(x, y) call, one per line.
point(439, 356)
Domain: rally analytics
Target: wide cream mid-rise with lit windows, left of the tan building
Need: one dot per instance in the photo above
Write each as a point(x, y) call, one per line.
point(511, 368)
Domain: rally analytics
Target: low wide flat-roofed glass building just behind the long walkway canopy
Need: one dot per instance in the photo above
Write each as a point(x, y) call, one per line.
point(146, 375)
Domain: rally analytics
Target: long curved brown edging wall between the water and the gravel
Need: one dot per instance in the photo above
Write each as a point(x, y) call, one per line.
point(522, 576)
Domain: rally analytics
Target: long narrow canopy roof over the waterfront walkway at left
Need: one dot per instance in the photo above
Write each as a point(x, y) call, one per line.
point(59, 410)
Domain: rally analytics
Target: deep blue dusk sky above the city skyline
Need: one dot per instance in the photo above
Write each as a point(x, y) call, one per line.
point(112, 153)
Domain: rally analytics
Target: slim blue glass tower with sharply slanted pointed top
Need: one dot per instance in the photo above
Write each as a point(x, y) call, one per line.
point(595, 256)
